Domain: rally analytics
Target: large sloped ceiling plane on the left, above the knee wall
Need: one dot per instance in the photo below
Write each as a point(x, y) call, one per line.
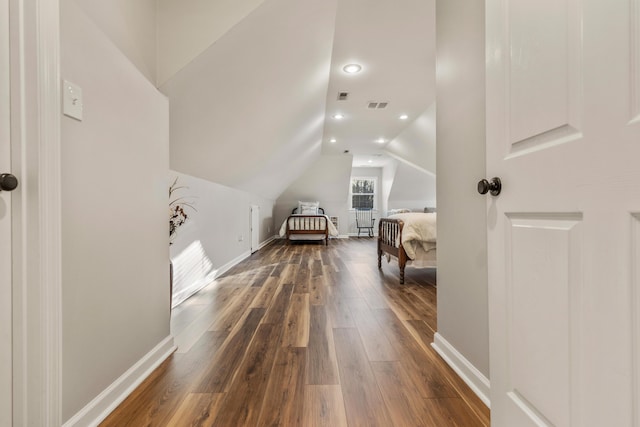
point(248, 112)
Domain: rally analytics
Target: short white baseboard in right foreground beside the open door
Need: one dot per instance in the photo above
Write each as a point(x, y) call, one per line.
point(469, 374)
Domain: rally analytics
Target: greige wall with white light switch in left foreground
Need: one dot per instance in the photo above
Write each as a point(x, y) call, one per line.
point(115, 248)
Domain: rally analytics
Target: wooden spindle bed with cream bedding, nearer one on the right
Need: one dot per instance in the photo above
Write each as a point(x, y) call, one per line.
point(410, 238)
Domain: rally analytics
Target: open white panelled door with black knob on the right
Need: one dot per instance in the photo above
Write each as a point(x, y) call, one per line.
point(563, 134)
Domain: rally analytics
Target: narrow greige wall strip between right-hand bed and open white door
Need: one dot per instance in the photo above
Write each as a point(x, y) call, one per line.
point(462, 258)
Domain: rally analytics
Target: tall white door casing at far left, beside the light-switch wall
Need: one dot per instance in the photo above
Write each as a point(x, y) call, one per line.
point(35, 128)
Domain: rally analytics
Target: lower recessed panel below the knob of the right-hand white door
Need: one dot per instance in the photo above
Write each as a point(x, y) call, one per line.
point(543, 287)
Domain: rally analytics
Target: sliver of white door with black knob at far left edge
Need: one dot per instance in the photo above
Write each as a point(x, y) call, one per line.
point(5, 227)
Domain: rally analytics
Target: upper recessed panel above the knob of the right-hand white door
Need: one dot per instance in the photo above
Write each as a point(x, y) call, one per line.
point(544, 73)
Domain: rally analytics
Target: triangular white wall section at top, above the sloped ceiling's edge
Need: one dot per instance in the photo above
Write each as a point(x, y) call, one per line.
point(187, 27)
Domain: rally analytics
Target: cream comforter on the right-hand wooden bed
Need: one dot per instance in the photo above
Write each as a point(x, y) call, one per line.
point(419, 232)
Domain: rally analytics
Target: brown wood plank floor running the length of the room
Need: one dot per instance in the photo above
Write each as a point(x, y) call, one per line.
point(306, 335)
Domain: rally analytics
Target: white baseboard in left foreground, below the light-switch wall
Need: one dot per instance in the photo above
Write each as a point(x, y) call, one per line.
point(99, 408)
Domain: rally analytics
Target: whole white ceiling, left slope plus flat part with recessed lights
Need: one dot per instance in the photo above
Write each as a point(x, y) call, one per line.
point(254, 109)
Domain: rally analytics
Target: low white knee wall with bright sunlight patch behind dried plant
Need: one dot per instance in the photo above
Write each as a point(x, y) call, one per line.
point(209, 241)
